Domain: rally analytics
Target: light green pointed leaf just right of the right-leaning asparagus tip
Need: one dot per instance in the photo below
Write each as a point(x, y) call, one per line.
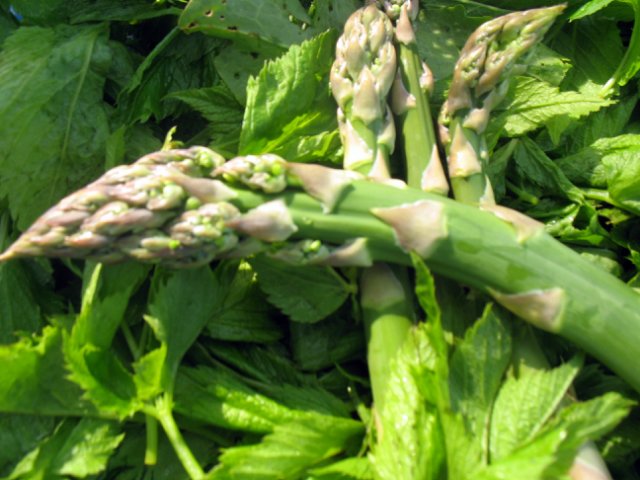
point(531, 104)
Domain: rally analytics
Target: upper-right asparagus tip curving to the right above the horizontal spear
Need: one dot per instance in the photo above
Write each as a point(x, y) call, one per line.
point(480, 82)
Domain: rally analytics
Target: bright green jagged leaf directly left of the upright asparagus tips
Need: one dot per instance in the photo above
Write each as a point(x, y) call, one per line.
point(290, 110)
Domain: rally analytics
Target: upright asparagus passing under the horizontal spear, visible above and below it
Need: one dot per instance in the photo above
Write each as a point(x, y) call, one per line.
point(386, 313)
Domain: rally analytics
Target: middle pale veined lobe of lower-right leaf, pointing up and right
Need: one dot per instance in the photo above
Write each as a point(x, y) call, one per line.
point(524, 405)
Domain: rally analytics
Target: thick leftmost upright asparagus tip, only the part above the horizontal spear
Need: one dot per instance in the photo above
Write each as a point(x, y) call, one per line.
point(361, 78)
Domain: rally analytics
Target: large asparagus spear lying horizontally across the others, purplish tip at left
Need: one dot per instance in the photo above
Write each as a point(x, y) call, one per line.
point(494, 249)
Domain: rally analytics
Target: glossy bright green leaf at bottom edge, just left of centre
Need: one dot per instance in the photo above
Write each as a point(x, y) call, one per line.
point(292, 449)
